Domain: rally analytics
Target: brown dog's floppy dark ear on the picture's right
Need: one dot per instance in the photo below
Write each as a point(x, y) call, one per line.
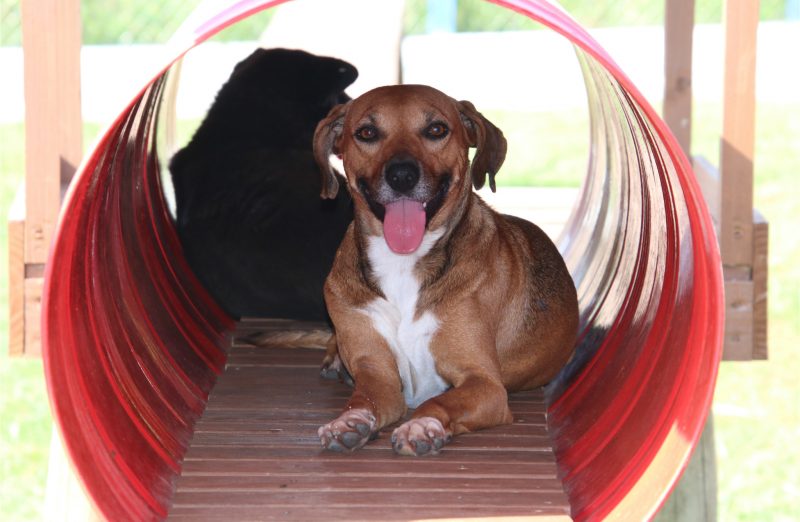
point(490, 143)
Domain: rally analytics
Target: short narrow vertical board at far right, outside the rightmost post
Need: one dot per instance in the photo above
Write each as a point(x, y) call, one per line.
point(760, 273)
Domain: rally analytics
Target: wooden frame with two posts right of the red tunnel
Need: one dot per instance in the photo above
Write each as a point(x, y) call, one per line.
point(728, 191)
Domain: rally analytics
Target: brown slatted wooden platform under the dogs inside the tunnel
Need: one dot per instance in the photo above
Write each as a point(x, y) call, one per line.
point(256, 456)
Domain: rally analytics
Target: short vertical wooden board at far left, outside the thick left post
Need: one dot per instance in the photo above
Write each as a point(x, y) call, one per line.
point(16, 274)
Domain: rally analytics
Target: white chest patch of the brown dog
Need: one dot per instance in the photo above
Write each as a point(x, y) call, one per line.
point(393, 317)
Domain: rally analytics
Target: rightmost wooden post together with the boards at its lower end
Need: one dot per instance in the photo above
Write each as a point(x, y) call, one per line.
point(743, 235)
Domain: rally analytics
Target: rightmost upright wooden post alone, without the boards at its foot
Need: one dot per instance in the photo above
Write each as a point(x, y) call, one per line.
point(738, 138)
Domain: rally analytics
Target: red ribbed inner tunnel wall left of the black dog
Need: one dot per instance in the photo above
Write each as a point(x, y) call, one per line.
point(132, 345)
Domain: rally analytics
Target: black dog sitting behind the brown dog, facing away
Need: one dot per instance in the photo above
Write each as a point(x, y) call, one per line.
point(249, 215)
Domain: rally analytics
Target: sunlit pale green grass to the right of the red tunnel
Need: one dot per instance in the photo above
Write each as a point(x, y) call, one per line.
point(756, 404)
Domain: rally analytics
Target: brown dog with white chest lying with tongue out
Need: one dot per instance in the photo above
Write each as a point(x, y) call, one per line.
point(438, 302)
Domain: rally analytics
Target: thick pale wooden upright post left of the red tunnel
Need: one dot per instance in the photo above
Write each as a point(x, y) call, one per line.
point(51, 37)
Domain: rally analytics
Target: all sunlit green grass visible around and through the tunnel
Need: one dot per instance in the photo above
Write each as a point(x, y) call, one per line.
point(756, 412)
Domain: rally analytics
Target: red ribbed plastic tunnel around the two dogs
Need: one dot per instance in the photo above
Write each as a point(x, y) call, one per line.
point(132, 344)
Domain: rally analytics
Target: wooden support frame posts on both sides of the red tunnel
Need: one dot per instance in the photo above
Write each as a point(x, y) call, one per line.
point(51, 39)
